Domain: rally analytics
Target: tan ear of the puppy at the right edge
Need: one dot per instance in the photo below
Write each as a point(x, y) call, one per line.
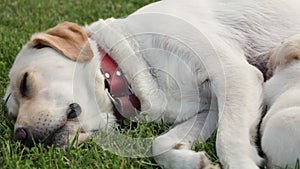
point(289, 50)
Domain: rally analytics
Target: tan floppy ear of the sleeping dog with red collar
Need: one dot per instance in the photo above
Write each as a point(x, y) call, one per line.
point(67, 38)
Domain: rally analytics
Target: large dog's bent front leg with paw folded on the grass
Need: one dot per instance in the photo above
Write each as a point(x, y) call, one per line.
point(173, 149)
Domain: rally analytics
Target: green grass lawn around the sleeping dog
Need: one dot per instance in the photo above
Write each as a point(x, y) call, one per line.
point(19, 20)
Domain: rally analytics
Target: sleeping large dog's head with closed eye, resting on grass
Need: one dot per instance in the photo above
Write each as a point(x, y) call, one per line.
point(56, 90)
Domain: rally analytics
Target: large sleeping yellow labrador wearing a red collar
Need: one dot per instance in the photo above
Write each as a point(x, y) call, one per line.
point(188, 63)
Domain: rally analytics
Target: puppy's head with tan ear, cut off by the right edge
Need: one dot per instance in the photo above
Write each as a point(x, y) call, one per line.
point(284, 63)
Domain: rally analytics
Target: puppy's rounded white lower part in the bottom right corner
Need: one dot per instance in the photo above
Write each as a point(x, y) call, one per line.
point(280, 138)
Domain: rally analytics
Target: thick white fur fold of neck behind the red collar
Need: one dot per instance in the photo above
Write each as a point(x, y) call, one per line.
point(112, 39)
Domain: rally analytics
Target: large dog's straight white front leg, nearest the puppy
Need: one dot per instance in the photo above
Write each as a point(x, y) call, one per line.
point(239, 93)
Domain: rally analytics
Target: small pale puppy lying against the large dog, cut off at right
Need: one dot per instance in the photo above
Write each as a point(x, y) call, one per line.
point(280, 127)
